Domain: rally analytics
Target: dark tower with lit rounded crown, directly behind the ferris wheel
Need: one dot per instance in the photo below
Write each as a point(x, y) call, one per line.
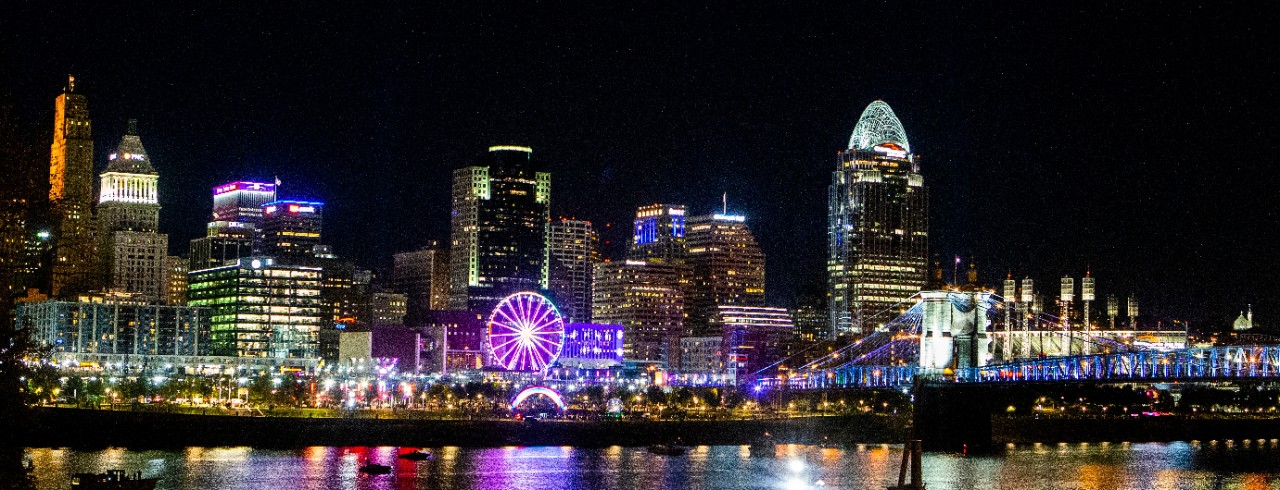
point(499, 235)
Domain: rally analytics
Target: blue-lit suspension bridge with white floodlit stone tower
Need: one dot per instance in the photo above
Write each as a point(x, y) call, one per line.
point(977, 338)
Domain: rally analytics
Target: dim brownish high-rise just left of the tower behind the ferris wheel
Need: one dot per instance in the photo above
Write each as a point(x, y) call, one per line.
point(423, 277)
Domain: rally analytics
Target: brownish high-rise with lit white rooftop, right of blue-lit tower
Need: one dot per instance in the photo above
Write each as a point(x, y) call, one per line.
point(728, 269)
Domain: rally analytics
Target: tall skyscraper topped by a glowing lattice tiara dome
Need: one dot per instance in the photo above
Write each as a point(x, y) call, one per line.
point(877, 226)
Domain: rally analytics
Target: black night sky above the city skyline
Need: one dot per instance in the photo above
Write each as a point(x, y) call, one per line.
point(1136, 140)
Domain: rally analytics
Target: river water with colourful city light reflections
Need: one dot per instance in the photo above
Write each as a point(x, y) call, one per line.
point(1197, 465)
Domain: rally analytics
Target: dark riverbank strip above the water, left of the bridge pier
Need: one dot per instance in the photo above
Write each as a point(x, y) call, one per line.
point(90, 429)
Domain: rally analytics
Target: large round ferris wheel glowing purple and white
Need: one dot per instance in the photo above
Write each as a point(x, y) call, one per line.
point(527, 333)
